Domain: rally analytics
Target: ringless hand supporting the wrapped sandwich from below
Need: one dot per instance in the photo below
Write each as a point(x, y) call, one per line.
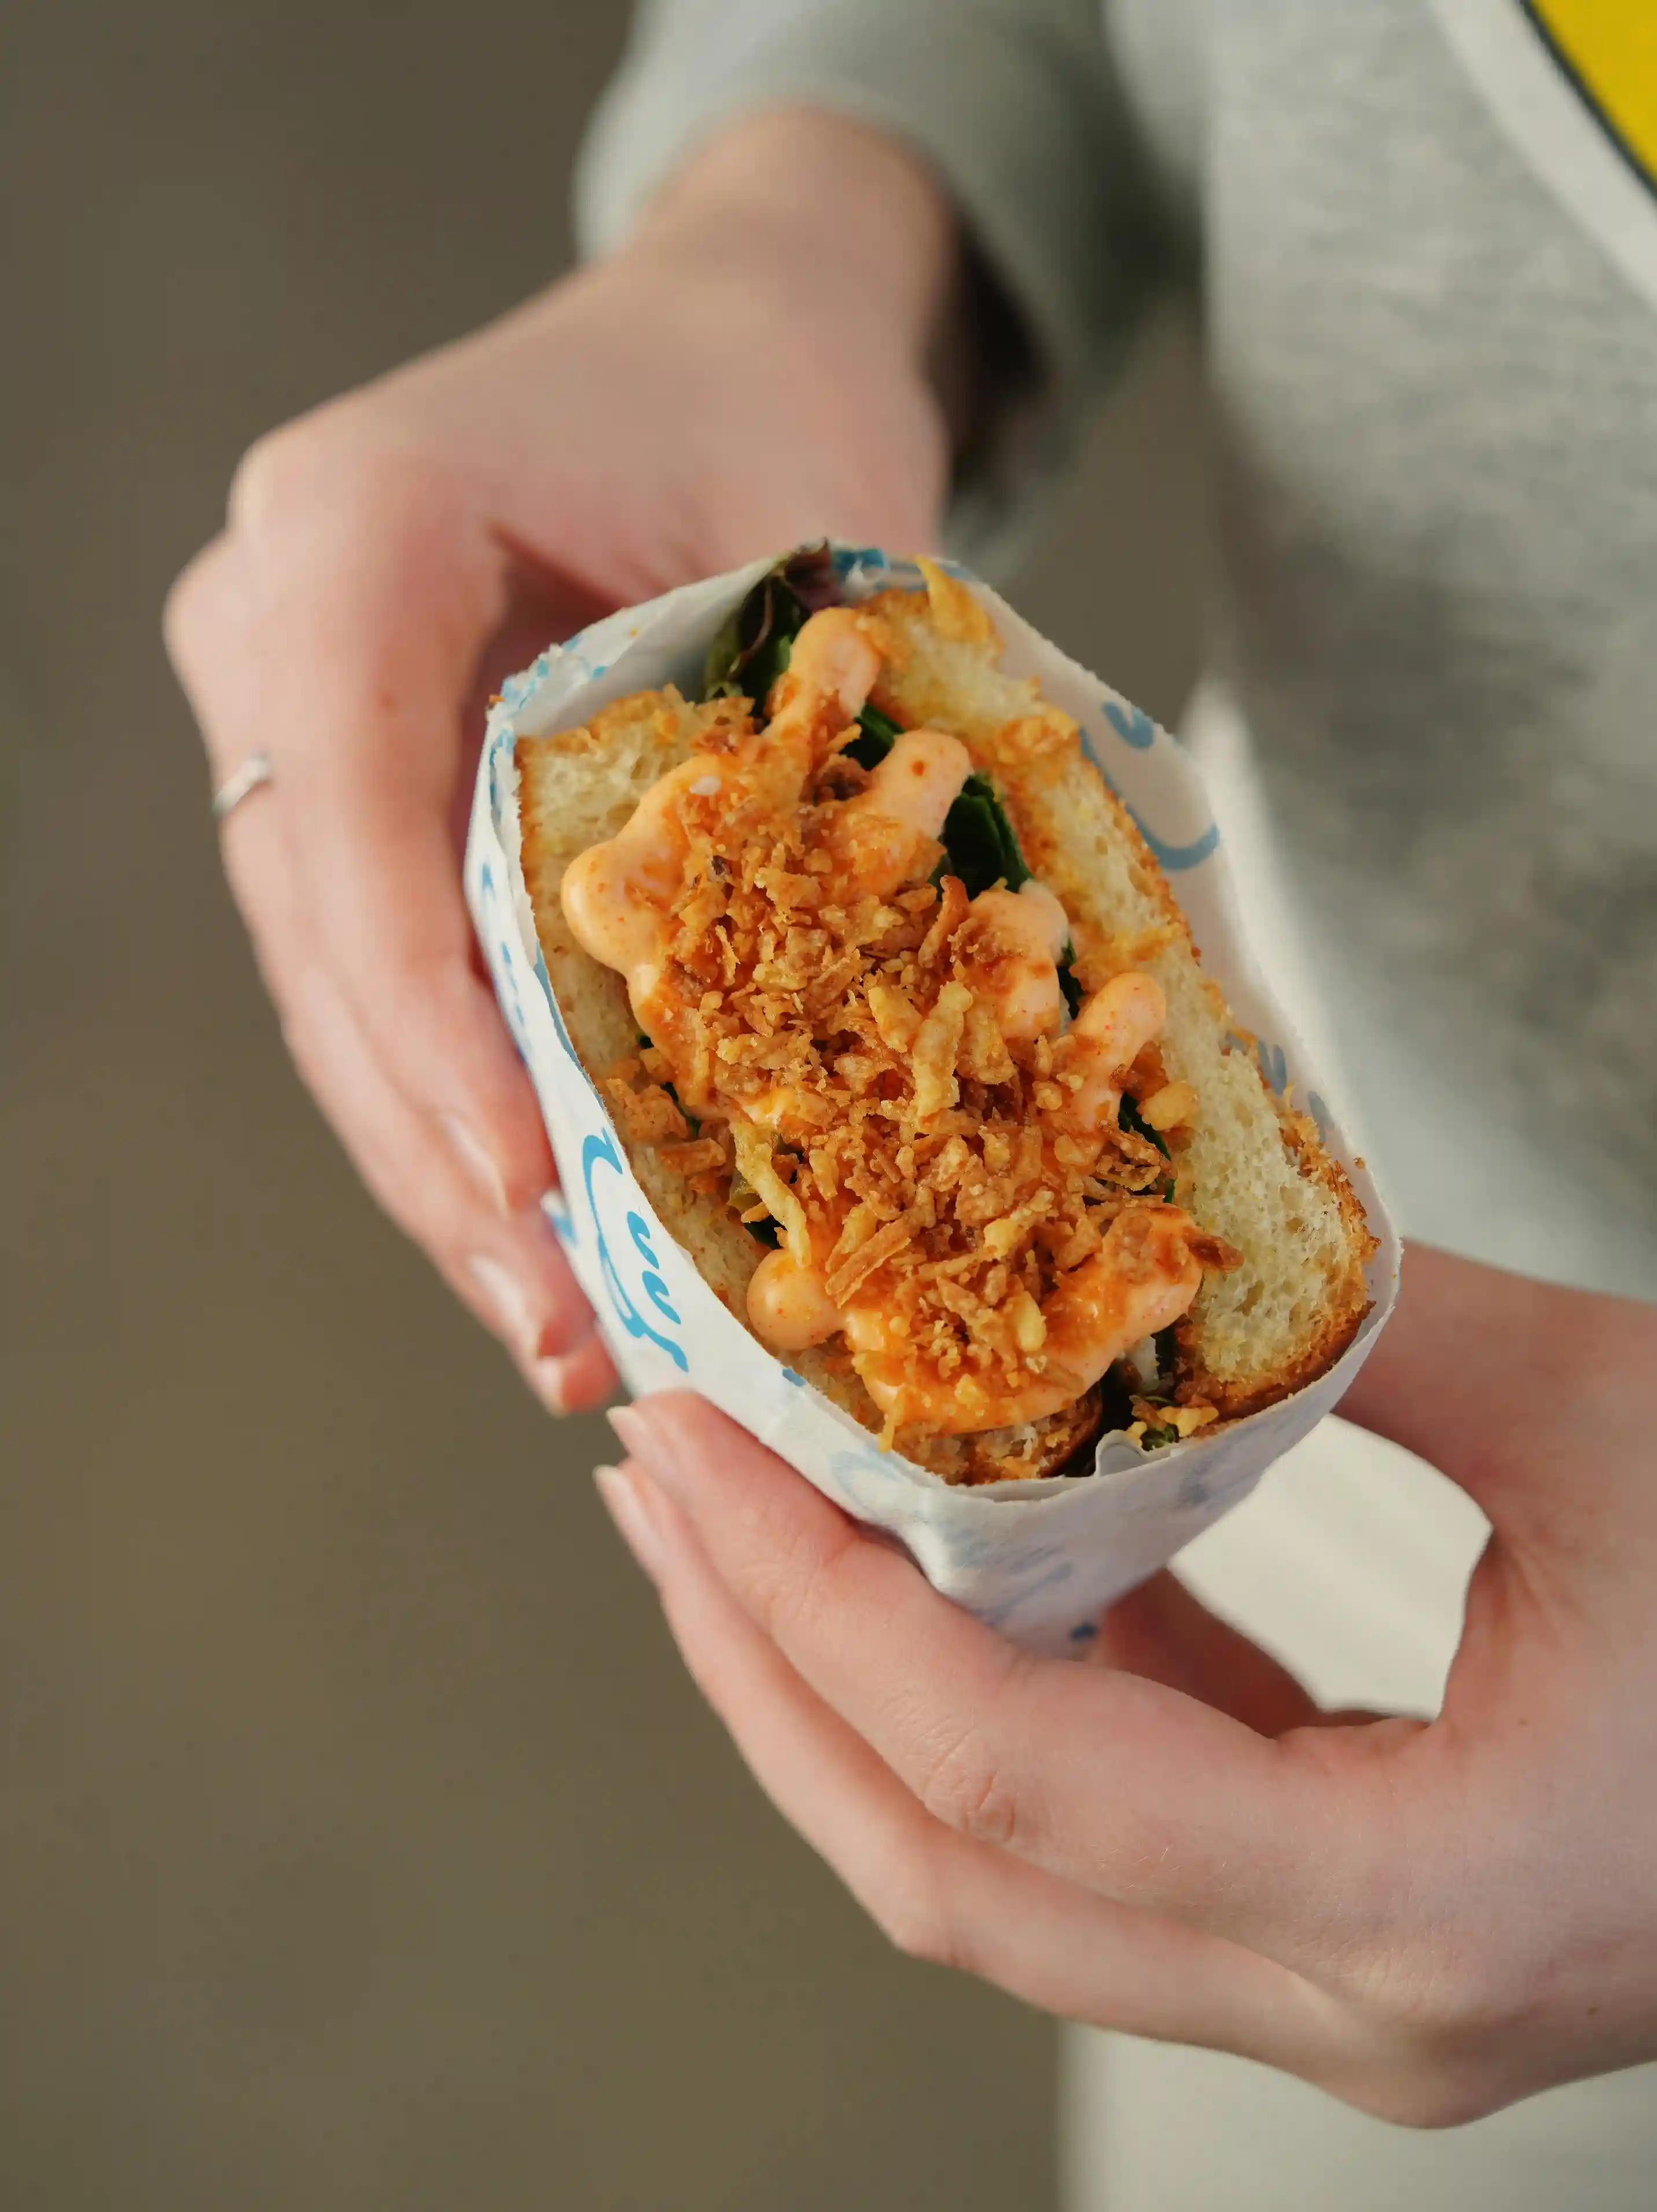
point(1426, 1919)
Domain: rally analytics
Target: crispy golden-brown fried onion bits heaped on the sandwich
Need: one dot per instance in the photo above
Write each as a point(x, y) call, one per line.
point(835, 1061)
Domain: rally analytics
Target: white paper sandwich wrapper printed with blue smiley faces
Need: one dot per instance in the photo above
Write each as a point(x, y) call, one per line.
point(1039, 1561)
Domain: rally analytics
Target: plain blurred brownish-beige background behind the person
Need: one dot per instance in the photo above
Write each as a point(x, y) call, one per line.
point(362, 1844)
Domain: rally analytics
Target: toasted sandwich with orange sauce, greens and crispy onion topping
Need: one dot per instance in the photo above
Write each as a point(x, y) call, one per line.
point(910, 1047)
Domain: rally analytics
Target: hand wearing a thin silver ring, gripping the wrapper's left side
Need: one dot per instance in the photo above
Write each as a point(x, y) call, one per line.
point(751, 373)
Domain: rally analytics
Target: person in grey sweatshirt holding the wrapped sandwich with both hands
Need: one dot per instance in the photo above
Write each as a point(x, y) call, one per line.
point(857, 269)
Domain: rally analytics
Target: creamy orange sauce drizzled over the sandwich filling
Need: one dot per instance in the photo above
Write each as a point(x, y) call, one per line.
point(625, 899)
